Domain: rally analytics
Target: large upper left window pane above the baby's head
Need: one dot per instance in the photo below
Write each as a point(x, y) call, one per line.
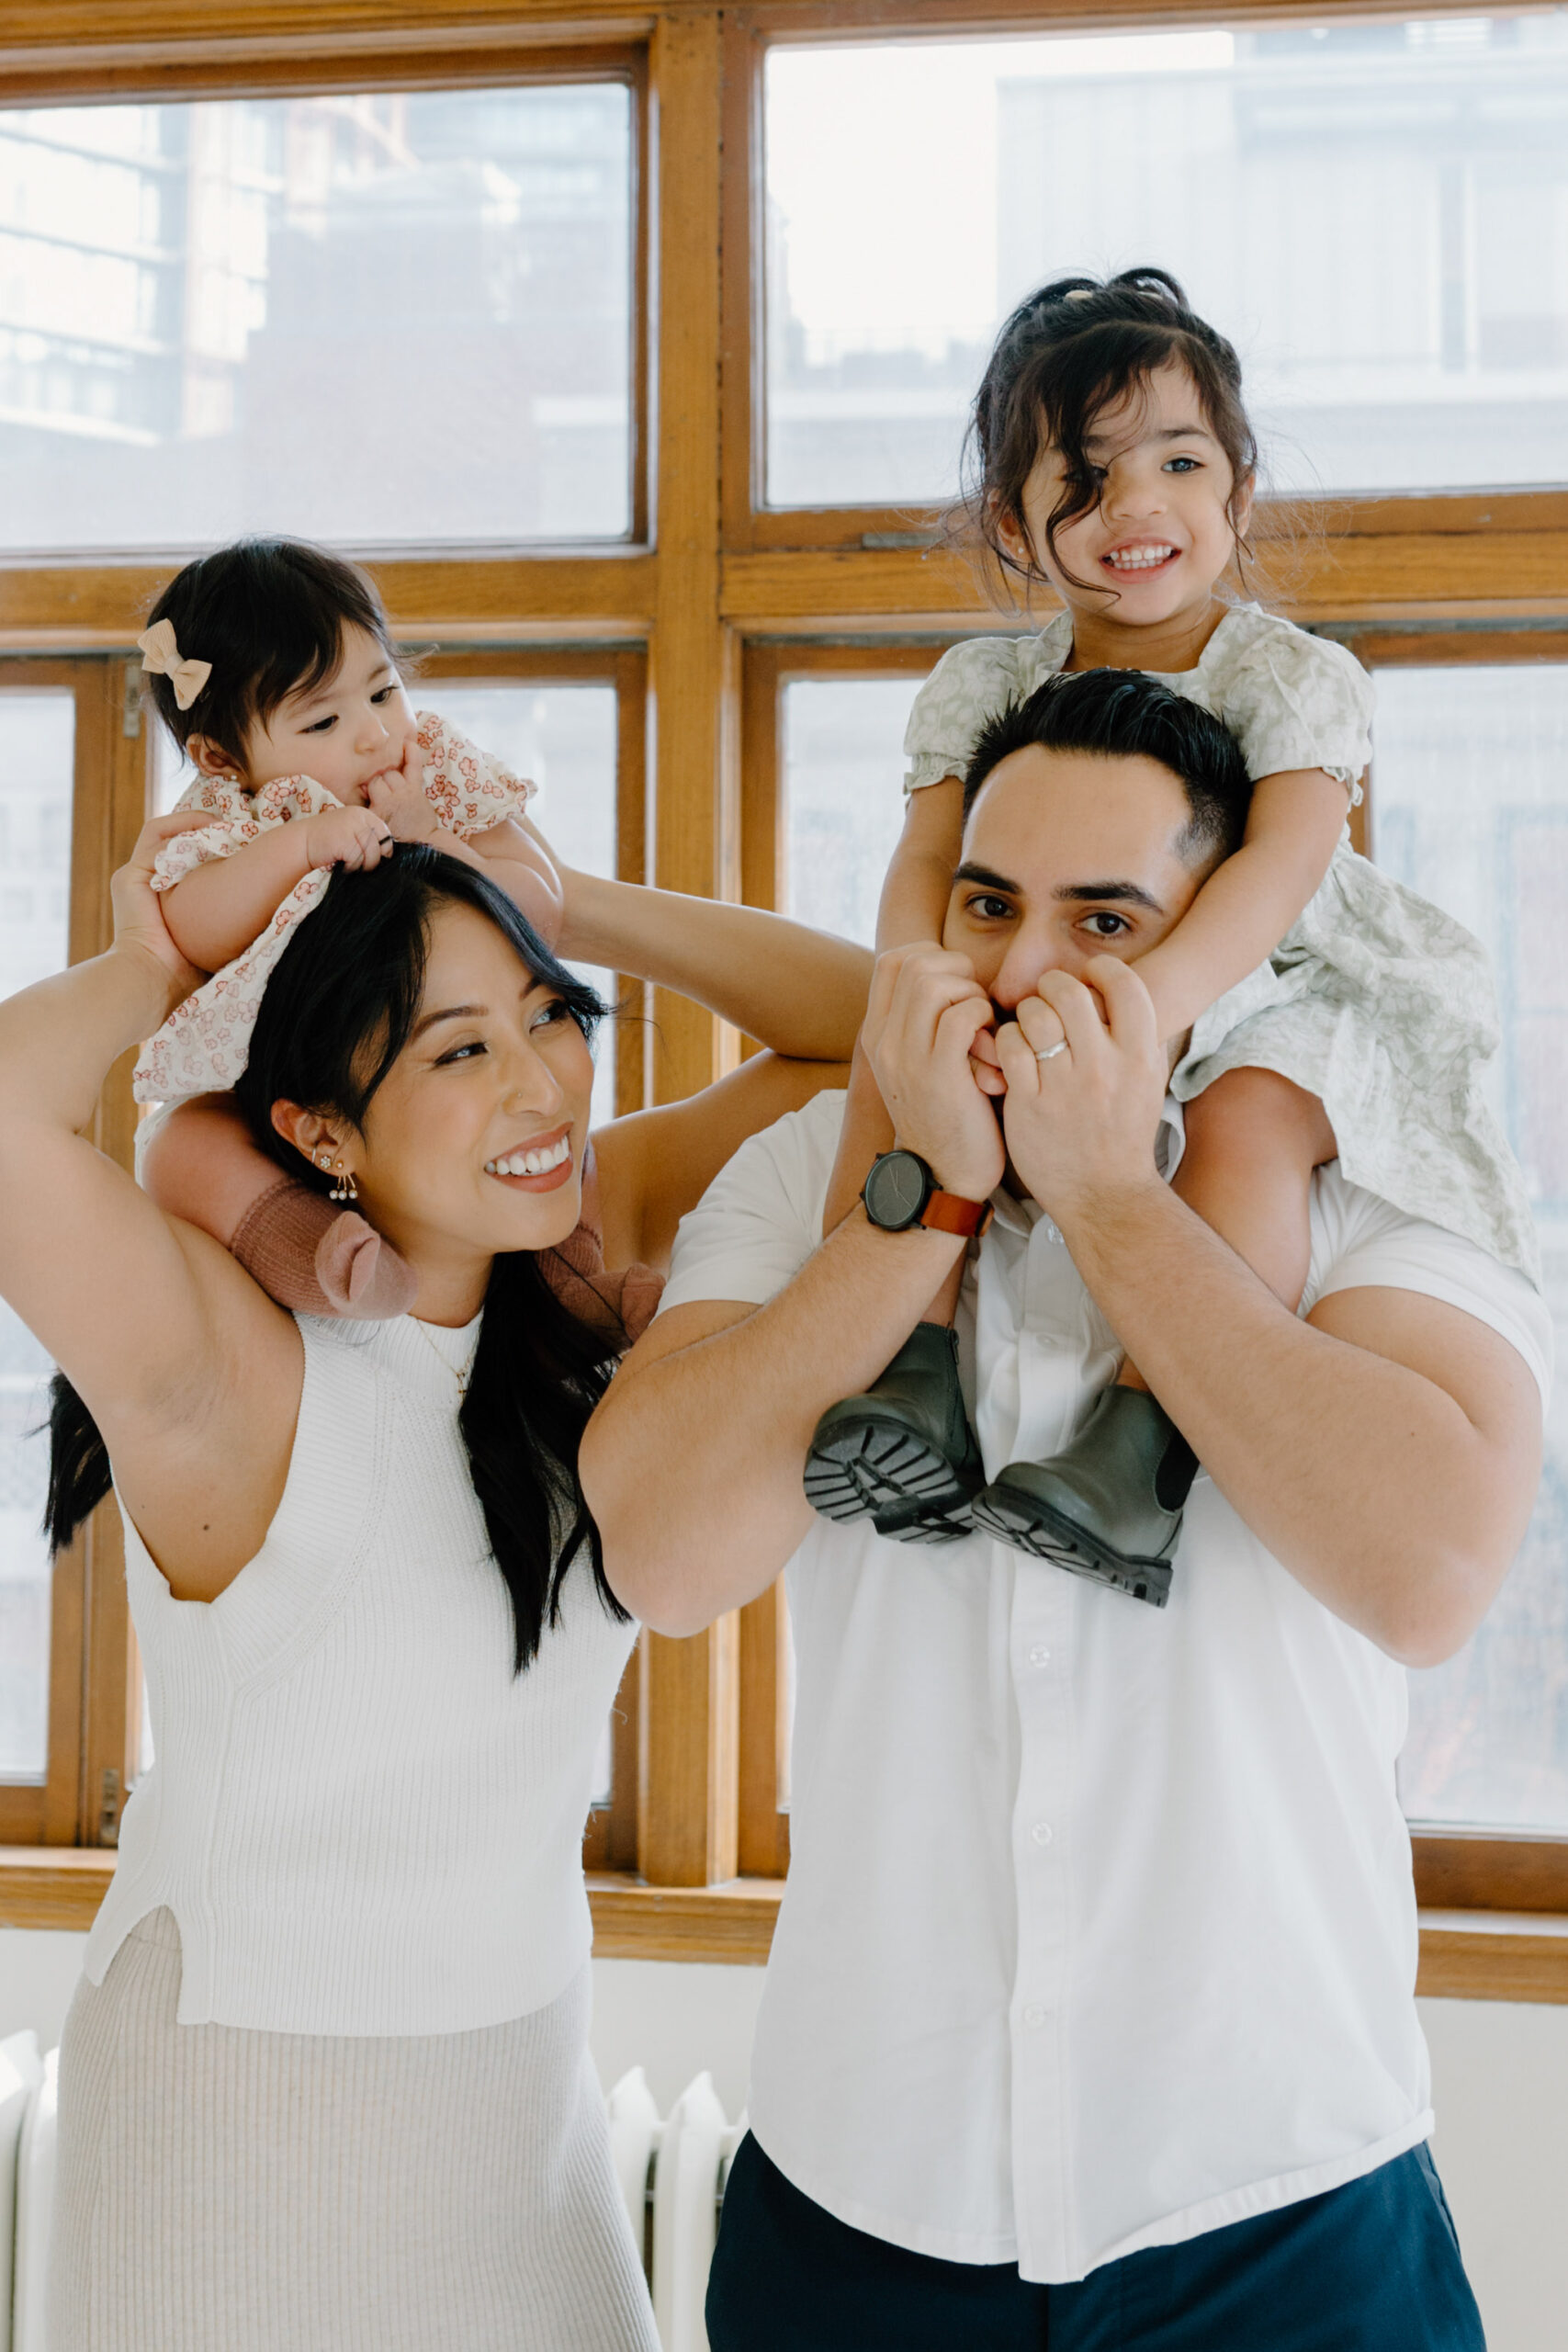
point(359, 319)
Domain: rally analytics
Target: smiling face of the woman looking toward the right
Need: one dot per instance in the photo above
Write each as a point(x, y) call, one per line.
point(474, 1144)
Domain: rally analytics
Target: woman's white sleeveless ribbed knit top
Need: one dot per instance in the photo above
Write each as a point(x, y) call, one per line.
point(361, 1817)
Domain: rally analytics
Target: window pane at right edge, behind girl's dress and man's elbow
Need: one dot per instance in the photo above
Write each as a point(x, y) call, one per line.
point(1470, 808)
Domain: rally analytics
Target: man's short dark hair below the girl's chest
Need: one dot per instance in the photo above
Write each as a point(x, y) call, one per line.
point(1127, 716)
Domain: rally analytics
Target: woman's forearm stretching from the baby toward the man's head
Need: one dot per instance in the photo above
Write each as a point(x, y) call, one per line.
point(793, 989)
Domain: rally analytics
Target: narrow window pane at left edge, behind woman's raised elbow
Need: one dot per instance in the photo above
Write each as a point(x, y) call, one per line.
point(36, 770)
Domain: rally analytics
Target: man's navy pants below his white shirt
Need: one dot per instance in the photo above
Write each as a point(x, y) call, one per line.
point(1367, 2269)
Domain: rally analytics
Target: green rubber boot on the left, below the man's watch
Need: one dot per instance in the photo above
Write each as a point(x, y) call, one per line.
point(904, 1455)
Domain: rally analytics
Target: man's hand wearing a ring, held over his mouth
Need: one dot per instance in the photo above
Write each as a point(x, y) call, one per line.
point(1083, 1123)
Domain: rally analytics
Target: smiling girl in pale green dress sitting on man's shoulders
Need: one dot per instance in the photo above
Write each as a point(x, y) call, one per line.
point(1329, 1013)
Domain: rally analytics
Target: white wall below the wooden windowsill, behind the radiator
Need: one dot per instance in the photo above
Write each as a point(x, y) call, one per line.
point(1501, 2078)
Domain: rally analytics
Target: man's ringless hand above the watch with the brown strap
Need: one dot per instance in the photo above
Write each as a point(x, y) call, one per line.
point(923, 1020)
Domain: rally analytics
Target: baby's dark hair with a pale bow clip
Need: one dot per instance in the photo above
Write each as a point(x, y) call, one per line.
point(269, 615)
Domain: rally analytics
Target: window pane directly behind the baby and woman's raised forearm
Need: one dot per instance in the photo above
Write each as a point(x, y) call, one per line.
point(565, 740)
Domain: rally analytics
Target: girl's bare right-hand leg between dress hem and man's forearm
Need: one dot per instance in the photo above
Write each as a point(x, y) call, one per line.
point(1254, 1142)
